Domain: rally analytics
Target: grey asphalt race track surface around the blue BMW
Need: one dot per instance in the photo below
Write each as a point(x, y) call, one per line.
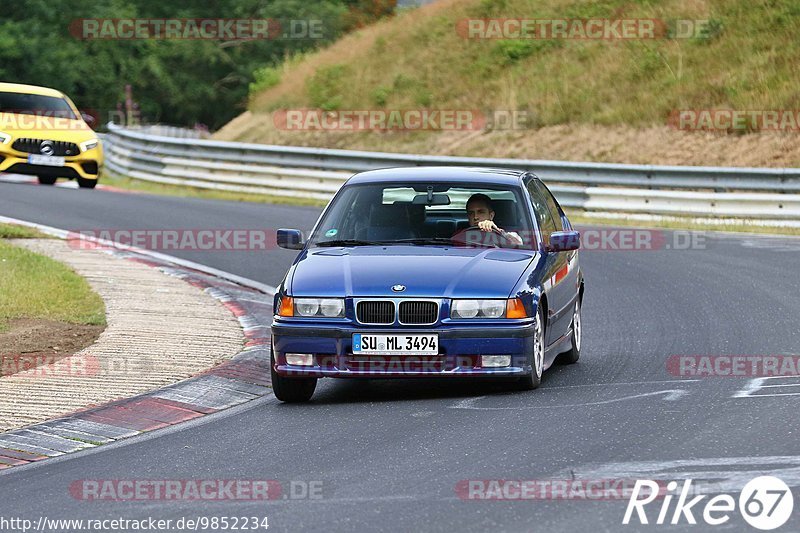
point(388, 455)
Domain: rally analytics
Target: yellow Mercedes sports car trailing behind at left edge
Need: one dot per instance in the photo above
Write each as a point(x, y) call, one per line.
point(42, 133)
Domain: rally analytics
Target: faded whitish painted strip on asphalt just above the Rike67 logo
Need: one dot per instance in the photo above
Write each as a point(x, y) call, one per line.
point(714, 474)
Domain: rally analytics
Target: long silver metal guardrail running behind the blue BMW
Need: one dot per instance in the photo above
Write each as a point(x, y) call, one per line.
point(752, 193)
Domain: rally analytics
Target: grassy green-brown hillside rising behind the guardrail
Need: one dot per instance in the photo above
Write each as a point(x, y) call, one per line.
point(747, 59)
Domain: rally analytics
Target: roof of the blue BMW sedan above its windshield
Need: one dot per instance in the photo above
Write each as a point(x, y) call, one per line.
point(497, 176)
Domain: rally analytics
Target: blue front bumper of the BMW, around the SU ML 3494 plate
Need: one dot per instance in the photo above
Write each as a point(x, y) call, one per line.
point(460, 348)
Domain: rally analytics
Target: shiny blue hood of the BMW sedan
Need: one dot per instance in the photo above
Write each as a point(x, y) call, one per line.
point(425, 271)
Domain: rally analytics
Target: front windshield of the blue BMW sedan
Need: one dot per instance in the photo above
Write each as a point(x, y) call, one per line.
point(424, 214)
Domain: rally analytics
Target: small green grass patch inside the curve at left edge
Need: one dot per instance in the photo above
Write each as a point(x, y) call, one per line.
point(35, 286)
